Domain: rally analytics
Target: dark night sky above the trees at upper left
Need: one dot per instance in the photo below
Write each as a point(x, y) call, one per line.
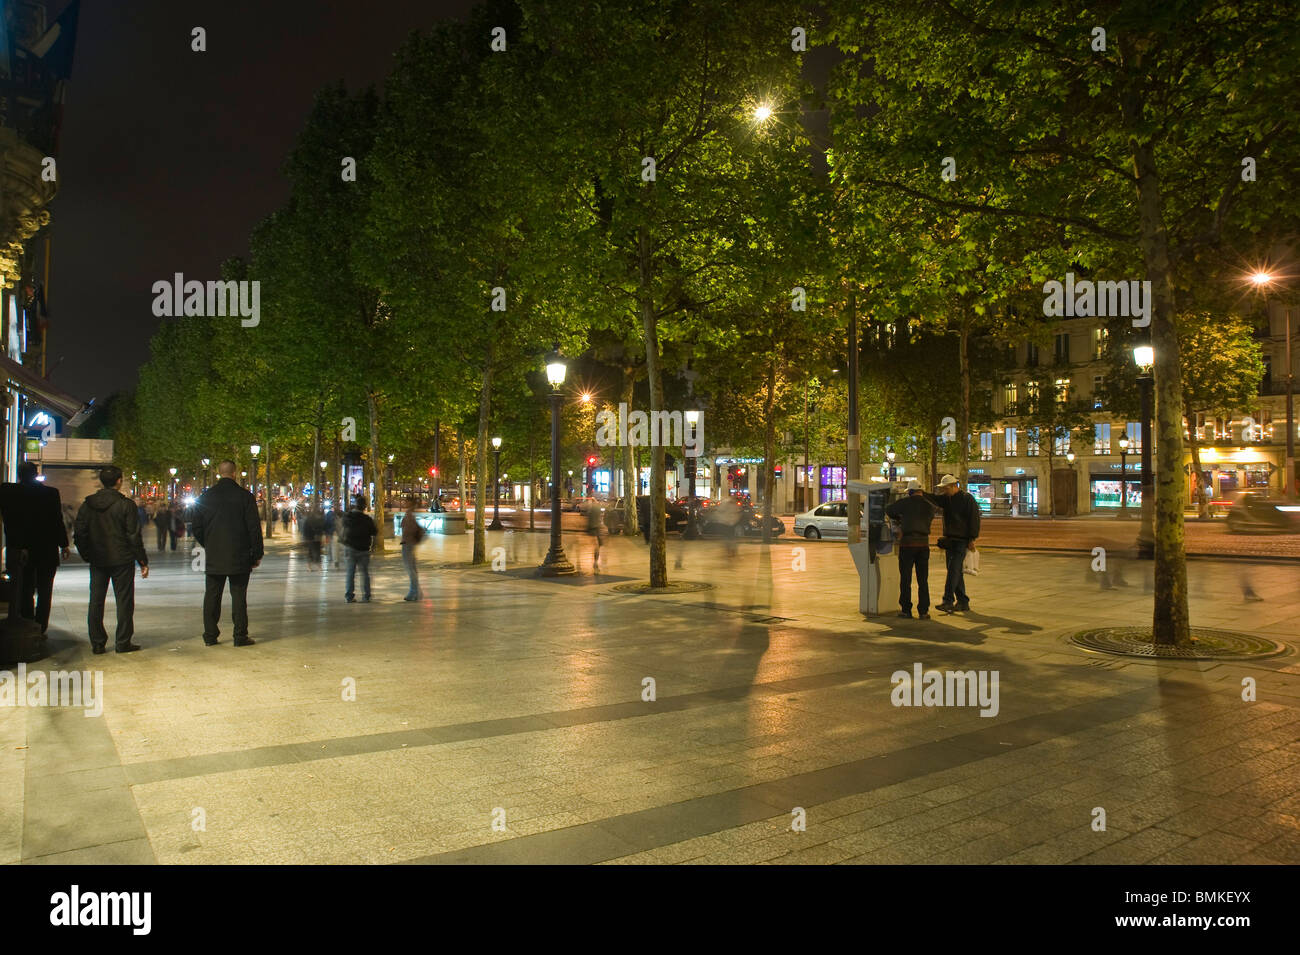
point(170, 158)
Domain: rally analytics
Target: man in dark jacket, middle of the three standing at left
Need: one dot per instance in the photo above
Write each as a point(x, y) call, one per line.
point(107, 536)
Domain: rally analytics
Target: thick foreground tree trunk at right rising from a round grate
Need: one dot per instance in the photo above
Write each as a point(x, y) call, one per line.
point(1171, 617)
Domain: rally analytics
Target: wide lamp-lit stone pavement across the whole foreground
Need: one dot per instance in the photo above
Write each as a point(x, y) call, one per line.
point(504, 719)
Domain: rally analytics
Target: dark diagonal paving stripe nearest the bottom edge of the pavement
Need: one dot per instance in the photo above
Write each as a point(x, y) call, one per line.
point(692, 819)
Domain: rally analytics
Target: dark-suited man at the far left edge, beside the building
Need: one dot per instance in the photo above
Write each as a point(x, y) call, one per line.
point(34, 536)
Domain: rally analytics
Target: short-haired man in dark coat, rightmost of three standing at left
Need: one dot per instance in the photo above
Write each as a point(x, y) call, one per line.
point(227, 528)
